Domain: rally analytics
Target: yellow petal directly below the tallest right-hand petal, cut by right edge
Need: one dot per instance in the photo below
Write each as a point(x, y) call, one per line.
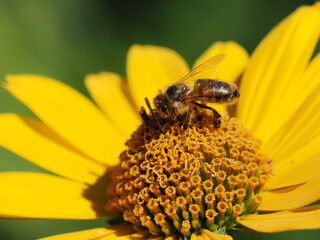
point(303, 125)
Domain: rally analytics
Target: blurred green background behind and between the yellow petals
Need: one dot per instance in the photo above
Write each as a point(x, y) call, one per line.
point(67, 39)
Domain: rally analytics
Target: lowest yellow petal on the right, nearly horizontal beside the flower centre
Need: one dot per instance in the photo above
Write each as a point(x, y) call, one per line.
point(282, 221)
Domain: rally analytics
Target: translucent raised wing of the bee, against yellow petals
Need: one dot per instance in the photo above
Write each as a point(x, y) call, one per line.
point(205, 70)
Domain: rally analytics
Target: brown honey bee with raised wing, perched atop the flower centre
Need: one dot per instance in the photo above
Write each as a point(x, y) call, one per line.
point(195, 90)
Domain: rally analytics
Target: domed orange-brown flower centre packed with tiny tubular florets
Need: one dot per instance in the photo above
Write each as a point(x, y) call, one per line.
point(189, 176)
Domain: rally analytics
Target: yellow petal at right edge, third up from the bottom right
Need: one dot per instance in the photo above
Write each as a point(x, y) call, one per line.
point(297, 174)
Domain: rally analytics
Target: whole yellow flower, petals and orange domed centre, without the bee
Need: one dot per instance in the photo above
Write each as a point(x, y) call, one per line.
point(258, 171)
